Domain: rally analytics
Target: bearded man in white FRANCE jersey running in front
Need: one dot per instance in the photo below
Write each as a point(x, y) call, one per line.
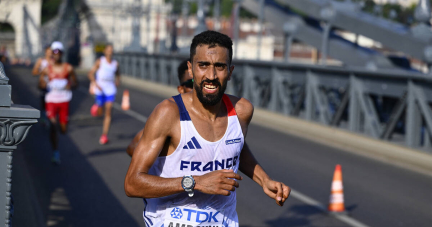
point(195, 143)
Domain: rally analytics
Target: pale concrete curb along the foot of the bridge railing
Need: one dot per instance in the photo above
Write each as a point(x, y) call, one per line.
point(344, 140)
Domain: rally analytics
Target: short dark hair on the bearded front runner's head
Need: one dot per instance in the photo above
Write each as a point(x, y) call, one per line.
point(212, 39)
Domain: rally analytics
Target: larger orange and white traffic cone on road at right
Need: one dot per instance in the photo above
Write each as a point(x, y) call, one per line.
point(336, 203)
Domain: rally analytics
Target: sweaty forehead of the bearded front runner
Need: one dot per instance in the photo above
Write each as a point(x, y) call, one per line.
point(211, 53)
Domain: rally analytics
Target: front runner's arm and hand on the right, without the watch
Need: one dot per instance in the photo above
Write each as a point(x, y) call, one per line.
point(250, 166)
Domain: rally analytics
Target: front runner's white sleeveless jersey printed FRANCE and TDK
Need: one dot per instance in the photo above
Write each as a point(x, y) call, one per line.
point(196, 156)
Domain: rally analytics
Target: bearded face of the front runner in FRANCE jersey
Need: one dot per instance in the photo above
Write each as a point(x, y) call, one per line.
point(211, 71)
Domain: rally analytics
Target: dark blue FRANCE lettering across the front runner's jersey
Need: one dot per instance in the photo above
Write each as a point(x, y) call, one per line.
point(209, 166)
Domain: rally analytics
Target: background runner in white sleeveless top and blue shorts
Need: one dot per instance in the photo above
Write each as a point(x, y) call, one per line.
point(106, 82)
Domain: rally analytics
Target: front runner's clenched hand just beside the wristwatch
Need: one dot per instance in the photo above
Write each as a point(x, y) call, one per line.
point(220, 182)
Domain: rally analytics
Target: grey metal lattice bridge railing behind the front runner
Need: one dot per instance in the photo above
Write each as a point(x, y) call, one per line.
point(391, 105)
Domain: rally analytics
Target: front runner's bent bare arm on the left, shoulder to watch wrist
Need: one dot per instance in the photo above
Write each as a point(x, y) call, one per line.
point(138, 182)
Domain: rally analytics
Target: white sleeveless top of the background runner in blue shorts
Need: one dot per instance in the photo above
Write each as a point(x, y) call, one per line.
point(105, 77)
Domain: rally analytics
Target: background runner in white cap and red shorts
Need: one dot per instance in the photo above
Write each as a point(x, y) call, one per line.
point(61, 79)
